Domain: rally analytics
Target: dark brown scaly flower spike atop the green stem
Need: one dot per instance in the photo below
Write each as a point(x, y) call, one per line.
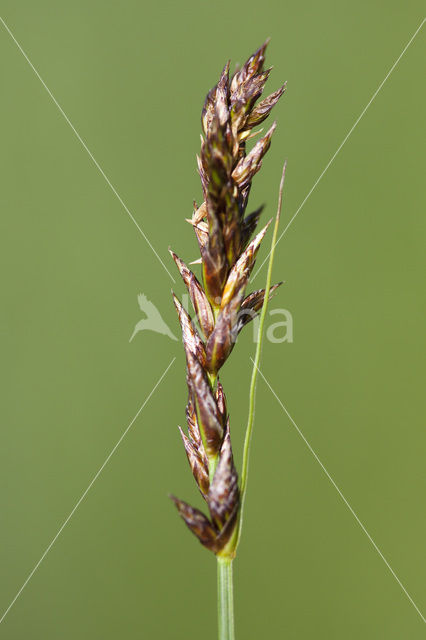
point(223, 230)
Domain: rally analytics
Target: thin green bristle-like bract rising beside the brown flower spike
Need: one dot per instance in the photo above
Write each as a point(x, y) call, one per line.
point(252, 394)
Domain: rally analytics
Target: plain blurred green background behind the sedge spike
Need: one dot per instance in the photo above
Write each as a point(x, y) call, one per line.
point(132, 77)
